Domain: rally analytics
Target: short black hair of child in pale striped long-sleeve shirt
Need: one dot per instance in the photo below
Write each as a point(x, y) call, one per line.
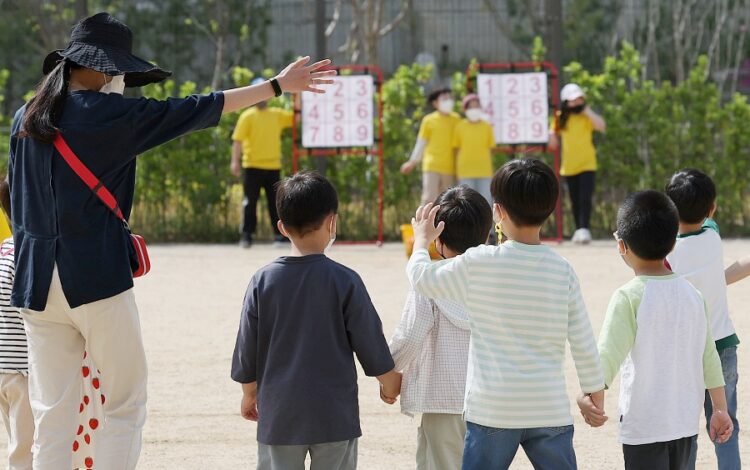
point(527, 189)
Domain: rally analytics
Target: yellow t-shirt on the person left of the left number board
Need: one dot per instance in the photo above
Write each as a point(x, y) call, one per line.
point(259, 130)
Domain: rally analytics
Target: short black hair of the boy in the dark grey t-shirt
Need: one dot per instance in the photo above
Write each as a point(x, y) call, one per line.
point(304, 200)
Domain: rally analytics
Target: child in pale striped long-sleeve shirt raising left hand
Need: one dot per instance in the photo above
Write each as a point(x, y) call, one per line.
point(524, 303)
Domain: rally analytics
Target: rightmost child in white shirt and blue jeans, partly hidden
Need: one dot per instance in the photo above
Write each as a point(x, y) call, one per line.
point(698, 255)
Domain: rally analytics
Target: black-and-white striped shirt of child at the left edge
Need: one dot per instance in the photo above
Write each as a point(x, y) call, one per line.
point(13, 353)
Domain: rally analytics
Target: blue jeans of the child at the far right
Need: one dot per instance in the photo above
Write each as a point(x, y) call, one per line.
point(728, 453)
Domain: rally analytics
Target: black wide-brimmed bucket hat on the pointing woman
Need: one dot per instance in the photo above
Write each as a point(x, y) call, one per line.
point(104, 44)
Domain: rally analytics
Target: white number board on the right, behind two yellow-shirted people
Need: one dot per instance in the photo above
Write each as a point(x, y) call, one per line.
point(517, 106)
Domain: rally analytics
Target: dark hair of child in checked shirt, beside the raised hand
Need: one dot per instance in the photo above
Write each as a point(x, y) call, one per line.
point(467, 216)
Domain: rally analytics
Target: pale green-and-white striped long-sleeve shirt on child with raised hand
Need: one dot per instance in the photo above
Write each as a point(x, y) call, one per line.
point(524, 303)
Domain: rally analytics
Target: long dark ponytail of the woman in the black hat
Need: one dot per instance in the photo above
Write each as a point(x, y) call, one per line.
point(44, 110)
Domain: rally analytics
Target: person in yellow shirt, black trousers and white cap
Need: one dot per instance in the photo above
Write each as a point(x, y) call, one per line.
point(573, 128)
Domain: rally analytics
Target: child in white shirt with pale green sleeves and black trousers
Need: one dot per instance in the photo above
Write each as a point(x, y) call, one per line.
point(657, 329)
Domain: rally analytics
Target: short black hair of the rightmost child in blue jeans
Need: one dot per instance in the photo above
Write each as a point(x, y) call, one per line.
point(694, 194)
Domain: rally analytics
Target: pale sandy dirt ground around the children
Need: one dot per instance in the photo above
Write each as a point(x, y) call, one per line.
point(190, 307)
